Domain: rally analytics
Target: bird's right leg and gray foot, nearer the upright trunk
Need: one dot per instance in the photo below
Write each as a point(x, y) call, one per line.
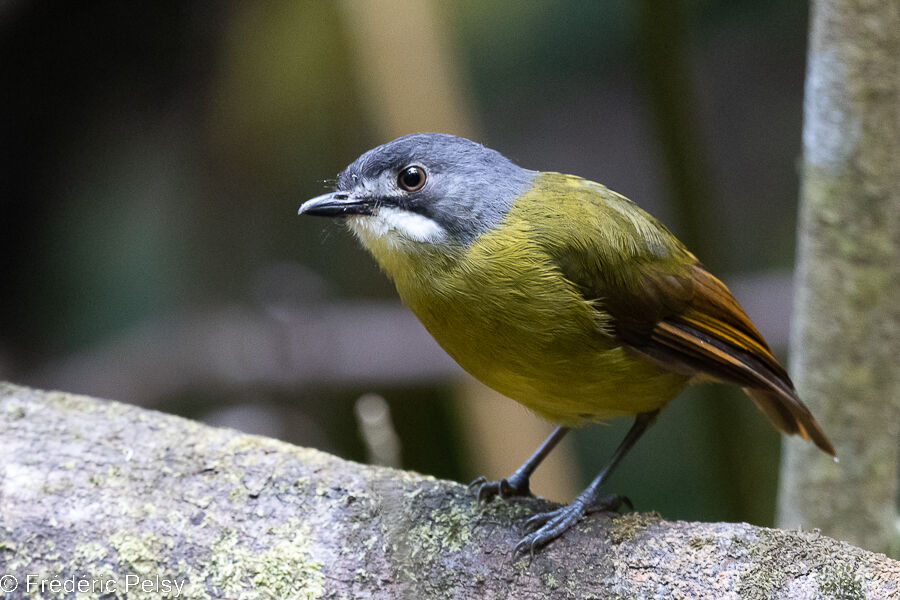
point(546, 527)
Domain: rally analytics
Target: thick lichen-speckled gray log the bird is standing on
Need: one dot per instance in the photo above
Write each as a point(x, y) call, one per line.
point(110, 495)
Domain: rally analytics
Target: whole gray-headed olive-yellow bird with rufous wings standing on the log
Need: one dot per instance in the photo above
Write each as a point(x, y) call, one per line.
point(558, 293)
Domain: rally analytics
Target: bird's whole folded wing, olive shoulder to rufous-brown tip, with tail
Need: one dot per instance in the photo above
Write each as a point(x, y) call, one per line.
point(662, 303)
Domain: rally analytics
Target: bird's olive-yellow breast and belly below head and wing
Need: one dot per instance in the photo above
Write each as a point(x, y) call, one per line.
point(528, 334)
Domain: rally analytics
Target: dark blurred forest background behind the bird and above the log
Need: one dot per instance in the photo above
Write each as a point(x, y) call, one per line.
point(154, 156)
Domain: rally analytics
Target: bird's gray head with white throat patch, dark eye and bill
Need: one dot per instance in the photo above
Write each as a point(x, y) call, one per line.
point(427, 188)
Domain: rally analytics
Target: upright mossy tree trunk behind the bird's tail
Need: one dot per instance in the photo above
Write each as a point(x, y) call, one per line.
point(846, 337)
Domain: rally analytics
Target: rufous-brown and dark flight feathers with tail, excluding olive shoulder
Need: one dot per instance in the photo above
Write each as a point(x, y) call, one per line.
point(691, 322)
